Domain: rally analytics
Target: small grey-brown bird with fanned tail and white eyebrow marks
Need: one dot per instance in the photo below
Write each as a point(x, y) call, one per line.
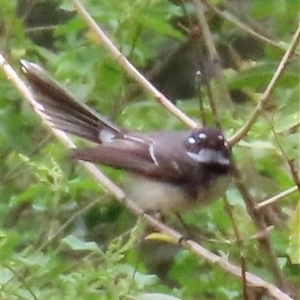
point(165, 170)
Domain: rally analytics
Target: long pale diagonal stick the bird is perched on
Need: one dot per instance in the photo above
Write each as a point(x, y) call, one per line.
point(113, 189)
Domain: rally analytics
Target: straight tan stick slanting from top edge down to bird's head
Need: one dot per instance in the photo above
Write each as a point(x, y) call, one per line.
point(130, 69)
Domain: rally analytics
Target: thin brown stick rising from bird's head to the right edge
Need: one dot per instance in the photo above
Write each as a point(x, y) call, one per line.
point(242, 132)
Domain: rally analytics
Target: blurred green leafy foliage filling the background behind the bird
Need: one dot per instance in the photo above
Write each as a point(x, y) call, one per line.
point(62, 235)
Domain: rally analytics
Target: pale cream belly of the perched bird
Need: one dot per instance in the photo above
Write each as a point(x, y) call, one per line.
point(152, 195)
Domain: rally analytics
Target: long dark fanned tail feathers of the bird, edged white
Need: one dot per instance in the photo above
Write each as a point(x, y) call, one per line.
point(61, 109)
